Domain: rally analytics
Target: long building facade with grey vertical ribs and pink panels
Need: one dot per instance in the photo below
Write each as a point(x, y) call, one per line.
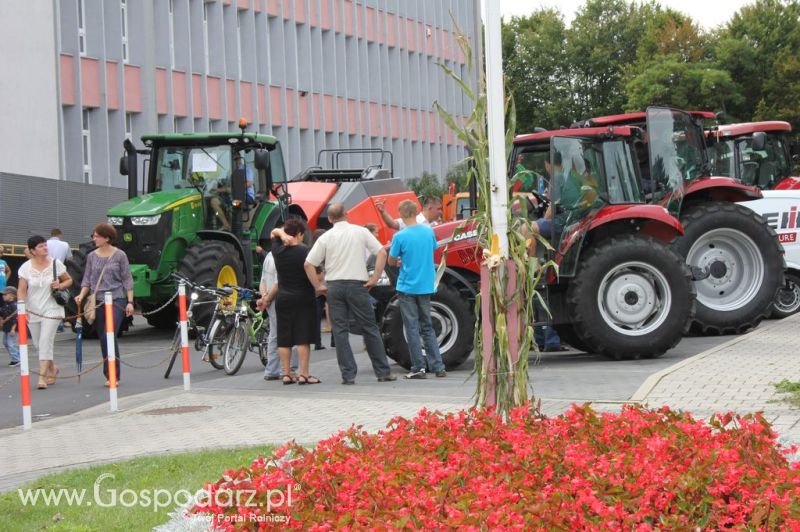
point(314, 73)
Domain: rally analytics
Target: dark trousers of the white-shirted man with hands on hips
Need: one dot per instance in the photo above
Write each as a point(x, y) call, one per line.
point(349, 300)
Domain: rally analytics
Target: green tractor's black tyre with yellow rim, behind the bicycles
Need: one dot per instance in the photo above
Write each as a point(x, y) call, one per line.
point(211, 263)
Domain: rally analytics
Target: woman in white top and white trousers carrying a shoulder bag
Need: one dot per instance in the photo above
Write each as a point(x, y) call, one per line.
point(36, 285)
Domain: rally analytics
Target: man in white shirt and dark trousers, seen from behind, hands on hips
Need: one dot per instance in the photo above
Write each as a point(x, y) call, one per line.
point(346, 286)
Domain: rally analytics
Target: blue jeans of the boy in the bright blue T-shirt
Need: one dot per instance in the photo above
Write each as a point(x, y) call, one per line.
point(416, 312)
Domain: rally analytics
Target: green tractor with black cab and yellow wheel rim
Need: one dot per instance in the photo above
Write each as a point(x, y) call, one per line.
point(210, 199)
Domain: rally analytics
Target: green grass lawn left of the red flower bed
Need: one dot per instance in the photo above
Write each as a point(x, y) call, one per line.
point(141, 476)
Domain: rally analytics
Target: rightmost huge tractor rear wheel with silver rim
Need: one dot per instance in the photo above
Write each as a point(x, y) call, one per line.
point(744, 262)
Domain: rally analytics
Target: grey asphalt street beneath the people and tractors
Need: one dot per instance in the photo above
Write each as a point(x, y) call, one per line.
point(569, 376)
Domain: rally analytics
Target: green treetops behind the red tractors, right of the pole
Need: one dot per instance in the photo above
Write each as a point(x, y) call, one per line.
point(623, 55)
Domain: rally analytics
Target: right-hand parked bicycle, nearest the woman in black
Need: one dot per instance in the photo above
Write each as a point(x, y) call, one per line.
point(249, 332)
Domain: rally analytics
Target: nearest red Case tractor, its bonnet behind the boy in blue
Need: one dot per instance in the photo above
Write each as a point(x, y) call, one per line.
point(620, 290)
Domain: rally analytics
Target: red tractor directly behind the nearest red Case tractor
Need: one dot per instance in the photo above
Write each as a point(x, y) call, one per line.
point(735, 257)
